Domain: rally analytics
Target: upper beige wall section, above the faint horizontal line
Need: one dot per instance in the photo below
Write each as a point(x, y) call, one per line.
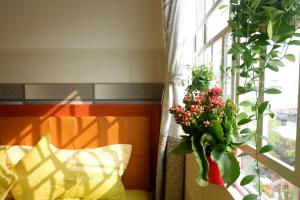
point(80, 23)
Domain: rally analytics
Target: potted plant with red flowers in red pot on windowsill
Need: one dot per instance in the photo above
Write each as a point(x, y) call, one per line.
point(211, 130)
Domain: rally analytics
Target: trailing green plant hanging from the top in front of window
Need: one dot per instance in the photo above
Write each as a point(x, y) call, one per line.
point(262, 31)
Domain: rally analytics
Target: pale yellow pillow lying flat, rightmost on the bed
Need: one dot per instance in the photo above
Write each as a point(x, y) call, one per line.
point(99, 172)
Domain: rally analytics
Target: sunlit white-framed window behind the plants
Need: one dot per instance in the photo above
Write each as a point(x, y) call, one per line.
point(283, 131)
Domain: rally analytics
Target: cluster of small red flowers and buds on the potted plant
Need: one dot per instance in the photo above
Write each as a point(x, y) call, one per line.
point(200, 109)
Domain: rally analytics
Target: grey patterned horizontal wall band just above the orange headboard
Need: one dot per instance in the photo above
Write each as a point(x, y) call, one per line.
point(80, 93)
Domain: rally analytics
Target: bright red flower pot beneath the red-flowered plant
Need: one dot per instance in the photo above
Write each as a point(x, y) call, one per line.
point(214, 176)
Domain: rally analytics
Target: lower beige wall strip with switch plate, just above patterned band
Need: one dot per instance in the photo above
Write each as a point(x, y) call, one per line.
point(83, 66)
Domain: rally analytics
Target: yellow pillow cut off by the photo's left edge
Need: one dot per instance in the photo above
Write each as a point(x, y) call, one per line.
point(7, 179)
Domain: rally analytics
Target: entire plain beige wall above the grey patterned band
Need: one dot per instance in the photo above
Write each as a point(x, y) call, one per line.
point(81, 41)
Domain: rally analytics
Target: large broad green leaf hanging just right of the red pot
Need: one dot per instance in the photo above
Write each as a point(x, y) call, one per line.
point(228, 166)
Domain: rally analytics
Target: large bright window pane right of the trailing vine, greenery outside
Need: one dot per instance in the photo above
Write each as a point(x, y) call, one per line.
point(281, 130)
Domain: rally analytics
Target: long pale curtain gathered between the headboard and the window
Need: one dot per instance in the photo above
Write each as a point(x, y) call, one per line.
point(178, 24)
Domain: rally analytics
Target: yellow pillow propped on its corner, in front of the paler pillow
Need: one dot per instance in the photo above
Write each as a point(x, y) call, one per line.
point(41, 176)
